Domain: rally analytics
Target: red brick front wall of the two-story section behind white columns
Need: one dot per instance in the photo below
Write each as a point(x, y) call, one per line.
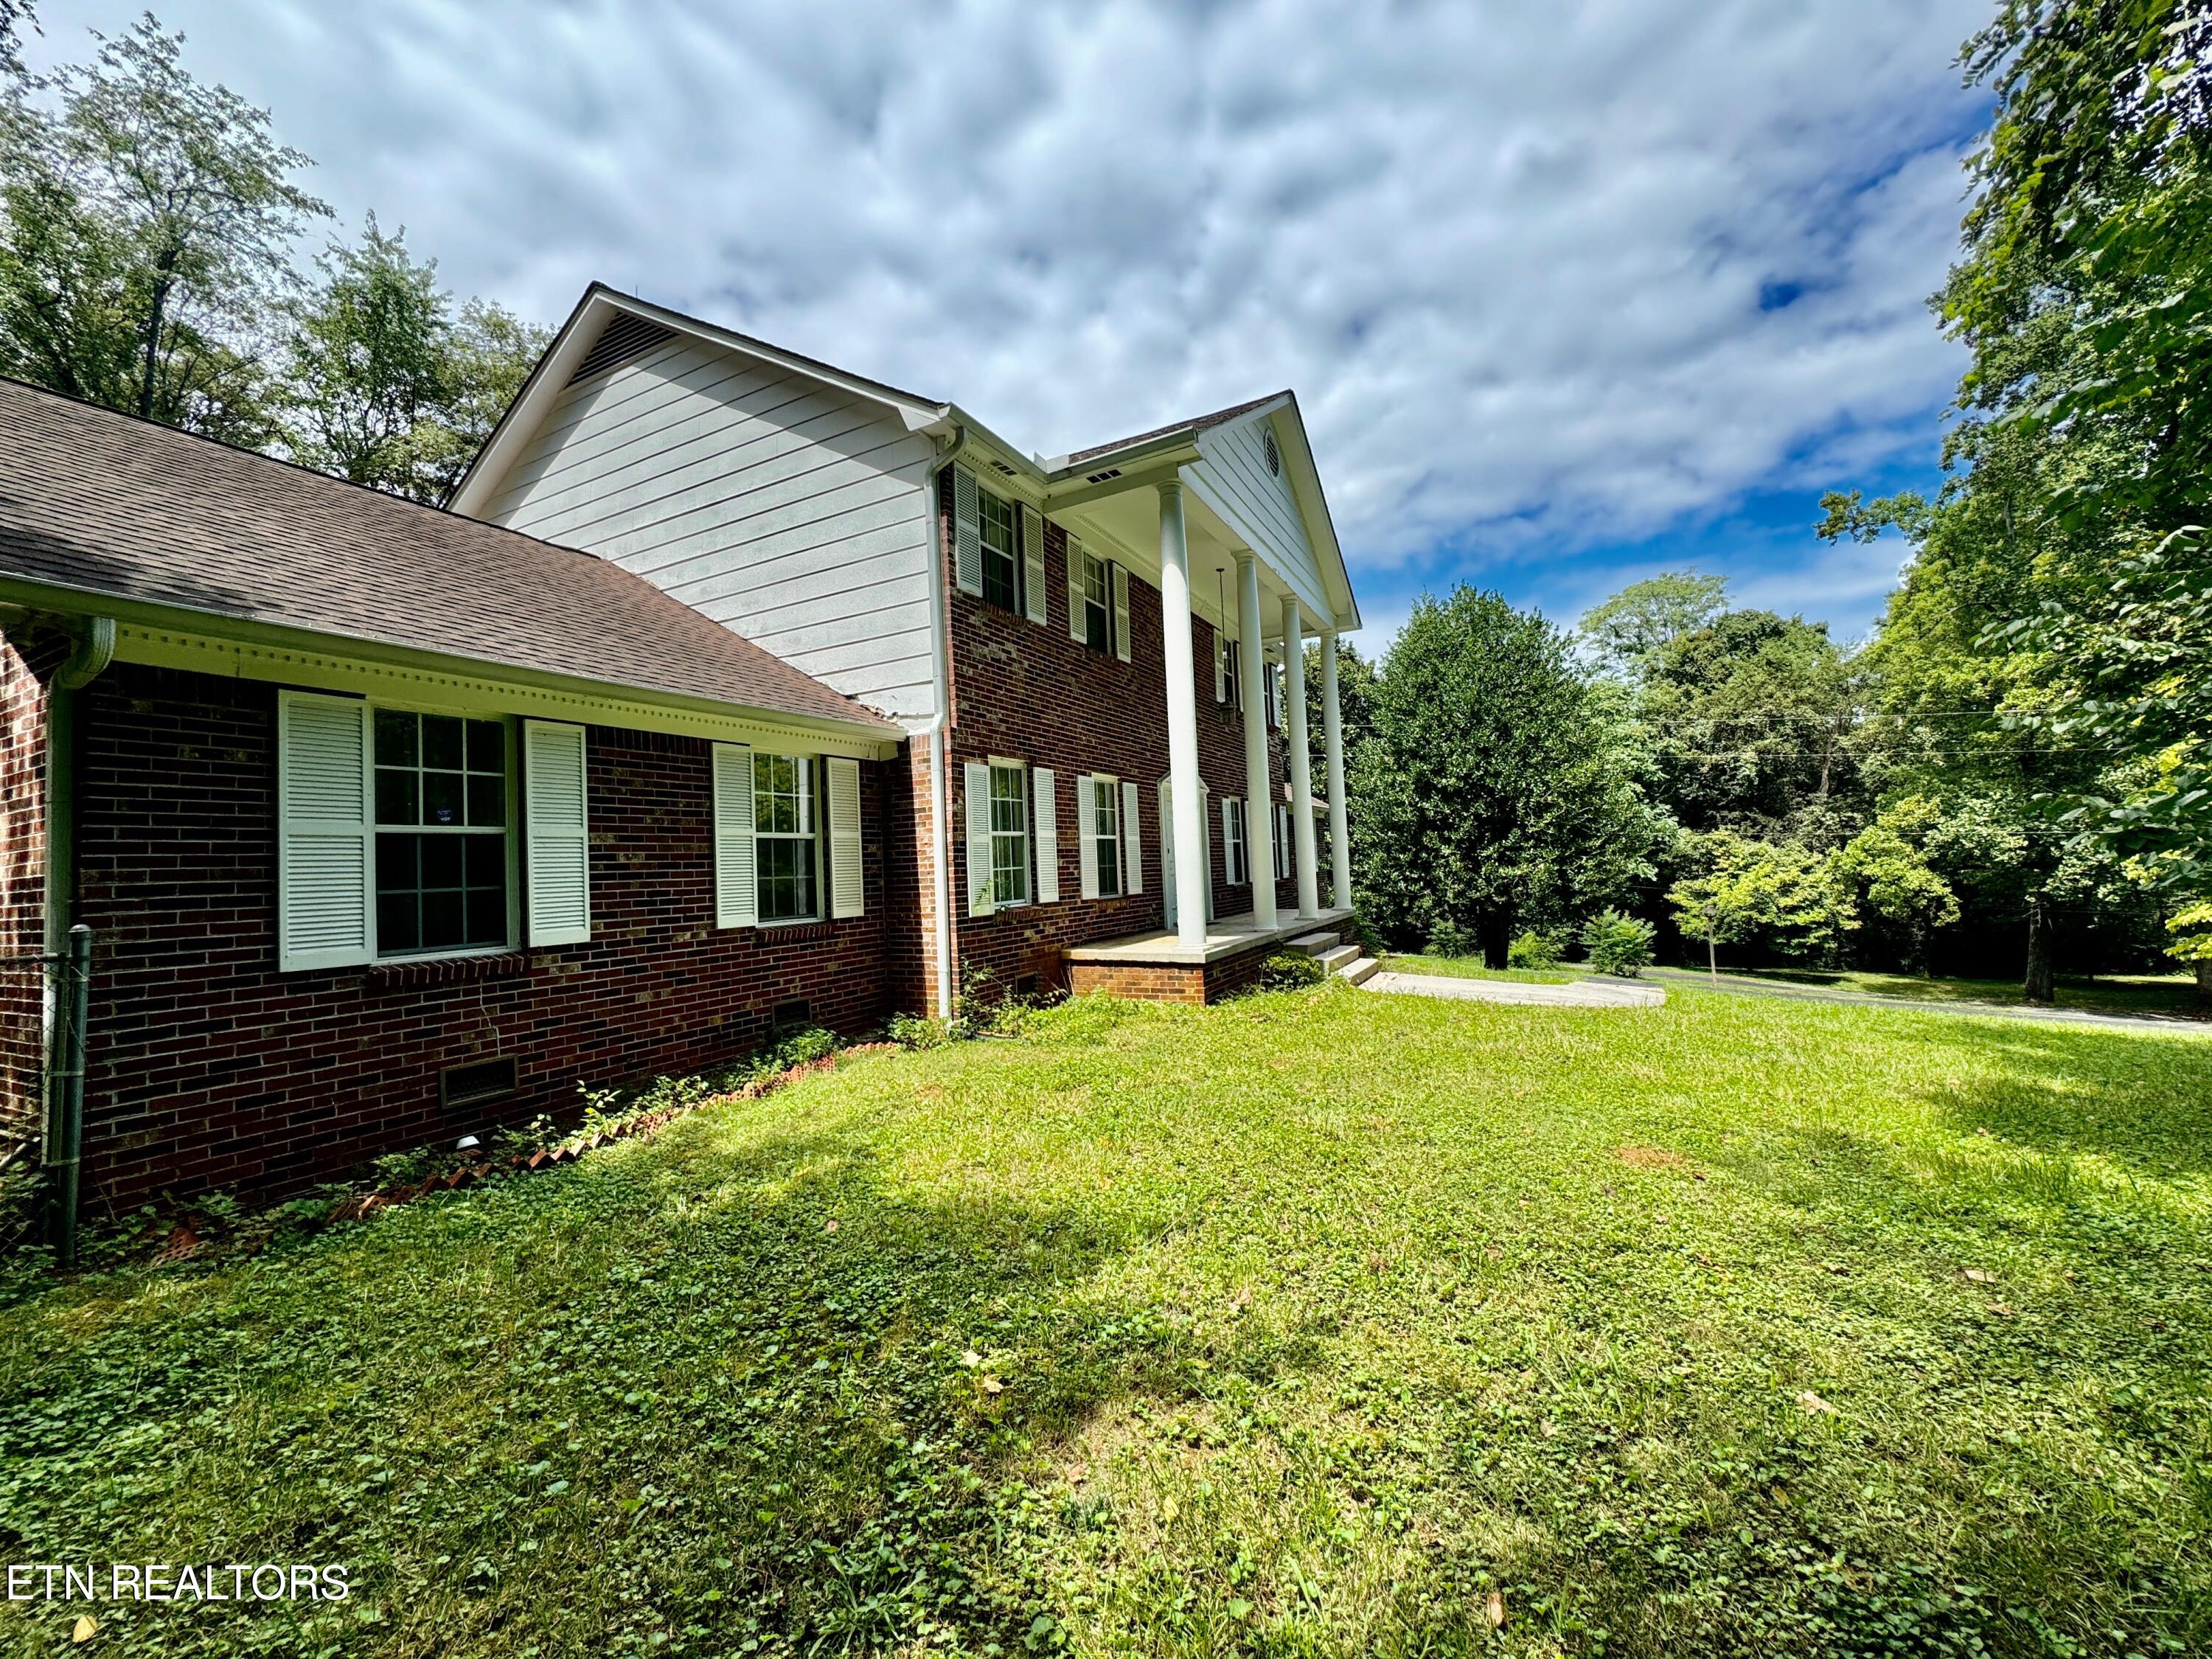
point(1030, 693)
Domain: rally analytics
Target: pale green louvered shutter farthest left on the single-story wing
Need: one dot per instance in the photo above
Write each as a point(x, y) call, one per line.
point(326, 884)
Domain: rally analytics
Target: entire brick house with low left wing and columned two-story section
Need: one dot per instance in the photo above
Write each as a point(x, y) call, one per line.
point(735, 691)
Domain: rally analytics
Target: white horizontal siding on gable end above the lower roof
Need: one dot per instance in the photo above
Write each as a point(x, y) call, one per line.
point(769, 501)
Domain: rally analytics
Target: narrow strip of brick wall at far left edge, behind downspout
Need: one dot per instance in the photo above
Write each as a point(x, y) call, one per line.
point(25, 662)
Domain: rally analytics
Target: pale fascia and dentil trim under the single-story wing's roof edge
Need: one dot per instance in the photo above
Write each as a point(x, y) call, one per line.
point(209, 643)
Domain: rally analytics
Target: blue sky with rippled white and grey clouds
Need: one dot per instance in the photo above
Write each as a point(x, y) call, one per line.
point(1569, 293)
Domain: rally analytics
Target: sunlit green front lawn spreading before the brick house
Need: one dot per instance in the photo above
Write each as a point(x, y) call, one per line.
point(1297, 1326)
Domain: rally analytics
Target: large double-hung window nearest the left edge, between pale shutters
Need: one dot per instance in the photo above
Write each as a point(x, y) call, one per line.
point(441, 833)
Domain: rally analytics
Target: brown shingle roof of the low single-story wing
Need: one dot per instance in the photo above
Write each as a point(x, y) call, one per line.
point(132, 510)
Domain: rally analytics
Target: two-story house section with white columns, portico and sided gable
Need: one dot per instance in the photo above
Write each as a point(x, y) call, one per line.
point(1087, 651)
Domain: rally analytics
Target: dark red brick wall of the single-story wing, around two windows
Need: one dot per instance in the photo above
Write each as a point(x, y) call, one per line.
point(213, 1070)
